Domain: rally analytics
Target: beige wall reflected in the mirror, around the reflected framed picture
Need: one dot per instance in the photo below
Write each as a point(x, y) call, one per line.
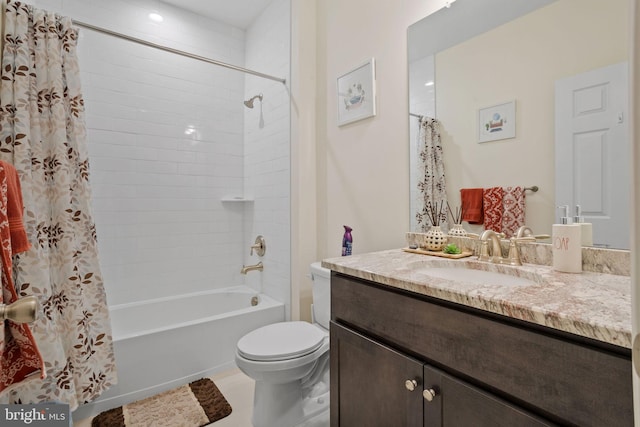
point(521, 61)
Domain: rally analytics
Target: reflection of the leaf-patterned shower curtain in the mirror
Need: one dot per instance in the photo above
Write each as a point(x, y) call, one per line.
point(432, 190)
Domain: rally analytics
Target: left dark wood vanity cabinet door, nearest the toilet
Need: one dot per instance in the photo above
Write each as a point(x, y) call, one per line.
point(368, 383)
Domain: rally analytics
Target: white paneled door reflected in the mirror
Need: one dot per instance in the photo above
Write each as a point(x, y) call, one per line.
point(592, 151)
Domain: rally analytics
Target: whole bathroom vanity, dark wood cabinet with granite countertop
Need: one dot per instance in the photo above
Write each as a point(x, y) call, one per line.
point(411, 349)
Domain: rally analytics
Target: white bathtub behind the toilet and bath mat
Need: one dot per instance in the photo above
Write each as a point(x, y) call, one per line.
point(162, 343)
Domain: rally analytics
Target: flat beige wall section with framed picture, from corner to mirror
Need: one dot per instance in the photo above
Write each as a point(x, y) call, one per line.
point(363, 167)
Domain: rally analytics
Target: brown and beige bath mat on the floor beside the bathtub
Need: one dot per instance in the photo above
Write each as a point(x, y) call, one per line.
point(193, 405)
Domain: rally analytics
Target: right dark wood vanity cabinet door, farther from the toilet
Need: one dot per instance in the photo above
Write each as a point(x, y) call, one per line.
point(458, 404)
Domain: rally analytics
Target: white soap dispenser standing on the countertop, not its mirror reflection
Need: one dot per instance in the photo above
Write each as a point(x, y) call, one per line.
point(567, 244)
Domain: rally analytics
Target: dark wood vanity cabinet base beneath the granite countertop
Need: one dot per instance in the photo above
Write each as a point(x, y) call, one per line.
point(403, 359)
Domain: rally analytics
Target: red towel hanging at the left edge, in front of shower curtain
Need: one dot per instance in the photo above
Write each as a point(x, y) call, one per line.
point(20, 358)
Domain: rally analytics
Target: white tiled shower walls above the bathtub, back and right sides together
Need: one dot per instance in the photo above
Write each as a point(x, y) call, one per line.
point(166, 138)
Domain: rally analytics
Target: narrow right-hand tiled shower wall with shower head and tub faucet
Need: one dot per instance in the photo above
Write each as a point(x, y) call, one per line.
point(267, 158)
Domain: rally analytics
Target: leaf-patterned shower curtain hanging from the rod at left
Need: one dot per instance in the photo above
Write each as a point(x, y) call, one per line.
point(43, 135)
